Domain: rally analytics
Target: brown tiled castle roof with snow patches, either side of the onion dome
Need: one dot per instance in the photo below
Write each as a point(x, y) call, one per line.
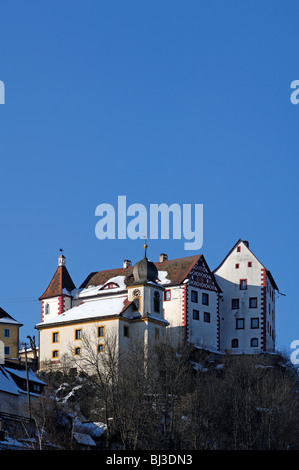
point(170, 272)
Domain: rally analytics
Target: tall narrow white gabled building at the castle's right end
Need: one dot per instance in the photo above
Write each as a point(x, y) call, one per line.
point(247, 307)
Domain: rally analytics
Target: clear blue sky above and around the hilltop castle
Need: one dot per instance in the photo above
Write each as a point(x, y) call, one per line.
point(175, 102)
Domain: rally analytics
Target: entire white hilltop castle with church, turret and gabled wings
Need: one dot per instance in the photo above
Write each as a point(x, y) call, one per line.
point(229, 310)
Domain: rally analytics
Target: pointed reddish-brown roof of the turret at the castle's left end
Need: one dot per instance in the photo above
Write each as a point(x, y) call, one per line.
point(61, 282)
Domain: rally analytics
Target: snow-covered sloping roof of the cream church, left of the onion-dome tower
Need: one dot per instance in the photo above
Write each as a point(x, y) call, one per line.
point(110, 306)
